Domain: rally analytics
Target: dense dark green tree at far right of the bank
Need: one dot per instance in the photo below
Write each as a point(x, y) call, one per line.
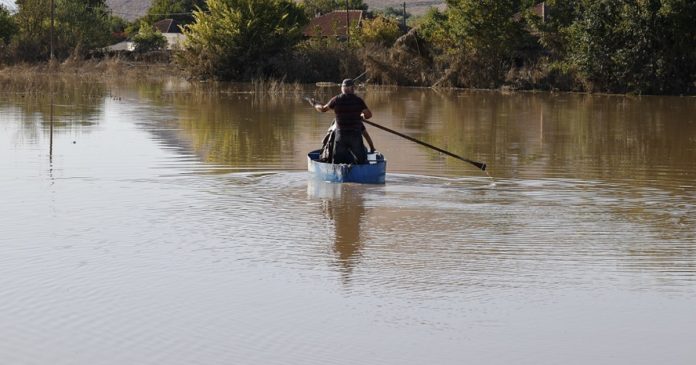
point(627, 46)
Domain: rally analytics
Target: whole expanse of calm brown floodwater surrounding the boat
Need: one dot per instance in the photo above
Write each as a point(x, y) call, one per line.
point(169, 223)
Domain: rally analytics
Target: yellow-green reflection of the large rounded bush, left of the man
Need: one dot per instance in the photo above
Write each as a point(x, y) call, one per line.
point(227, 123)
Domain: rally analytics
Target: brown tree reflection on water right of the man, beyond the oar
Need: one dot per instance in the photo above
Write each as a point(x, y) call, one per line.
point(553, 134)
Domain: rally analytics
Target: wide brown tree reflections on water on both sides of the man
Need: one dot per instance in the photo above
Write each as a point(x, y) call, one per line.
point(526, 135)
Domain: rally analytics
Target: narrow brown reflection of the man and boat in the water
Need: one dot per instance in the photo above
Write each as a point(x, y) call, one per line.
point(343, 206)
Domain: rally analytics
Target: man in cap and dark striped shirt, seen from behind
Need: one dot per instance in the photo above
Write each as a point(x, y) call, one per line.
point(350, 110)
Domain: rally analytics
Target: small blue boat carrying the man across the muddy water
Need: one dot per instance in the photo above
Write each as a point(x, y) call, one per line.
point(369, 173)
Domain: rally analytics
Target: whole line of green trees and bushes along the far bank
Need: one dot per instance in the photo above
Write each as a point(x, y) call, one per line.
point(624, 46)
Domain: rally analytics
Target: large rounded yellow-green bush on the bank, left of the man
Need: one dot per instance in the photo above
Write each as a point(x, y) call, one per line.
point(237, 39)
